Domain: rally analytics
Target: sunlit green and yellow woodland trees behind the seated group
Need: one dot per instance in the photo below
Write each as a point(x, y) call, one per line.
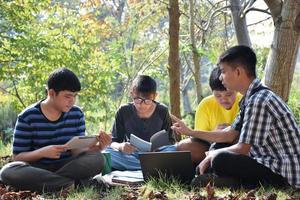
point(107, 43)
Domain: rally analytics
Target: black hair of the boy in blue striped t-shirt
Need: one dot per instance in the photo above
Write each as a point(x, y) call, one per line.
point(63, 79)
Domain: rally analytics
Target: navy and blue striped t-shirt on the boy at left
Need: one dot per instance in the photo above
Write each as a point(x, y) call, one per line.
point(34, 131)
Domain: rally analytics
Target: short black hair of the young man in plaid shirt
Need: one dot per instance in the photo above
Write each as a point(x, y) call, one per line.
point(240, 55)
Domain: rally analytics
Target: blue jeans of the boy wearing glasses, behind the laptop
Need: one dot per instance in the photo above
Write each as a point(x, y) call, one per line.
point(122, 161)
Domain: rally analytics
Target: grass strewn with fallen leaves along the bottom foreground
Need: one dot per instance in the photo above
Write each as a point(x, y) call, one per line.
point(173, 190)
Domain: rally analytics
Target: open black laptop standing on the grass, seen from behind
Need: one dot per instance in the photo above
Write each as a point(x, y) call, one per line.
point(177, 164)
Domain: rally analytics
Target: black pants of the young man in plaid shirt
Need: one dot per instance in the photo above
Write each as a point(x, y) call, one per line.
point(245, 169)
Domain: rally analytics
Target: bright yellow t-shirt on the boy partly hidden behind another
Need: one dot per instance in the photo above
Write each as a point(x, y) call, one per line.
point(210, 113)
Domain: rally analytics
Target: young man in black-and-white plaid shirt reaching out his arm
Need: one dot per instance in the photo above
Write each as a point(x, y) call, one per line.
point(268, 148)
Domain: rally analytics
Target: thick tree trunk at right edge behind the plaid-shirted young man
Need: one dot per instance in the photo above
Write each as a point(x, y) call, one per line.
point(281, 60)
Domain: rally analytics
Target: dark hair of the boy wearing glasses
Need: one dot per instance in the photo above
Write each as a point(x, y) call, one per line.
point(144, 84)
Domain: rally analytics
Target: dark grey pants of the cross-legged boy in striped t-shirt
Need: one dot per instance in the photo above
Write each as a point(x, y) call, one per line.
point(52, 177)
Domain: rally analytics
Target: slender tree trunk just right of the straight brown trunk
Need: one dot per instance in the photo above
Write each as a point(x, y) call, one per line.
point(196, 59)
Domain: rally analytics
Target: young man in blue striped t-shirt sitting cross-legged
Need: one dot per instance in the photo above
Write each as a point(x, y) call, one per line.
point(41, 160)
